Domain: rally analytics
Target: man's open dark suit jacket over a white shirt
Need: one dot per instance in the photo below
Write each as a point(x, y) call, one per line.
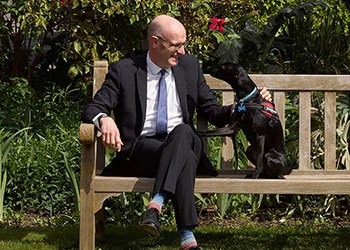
point(125, 90)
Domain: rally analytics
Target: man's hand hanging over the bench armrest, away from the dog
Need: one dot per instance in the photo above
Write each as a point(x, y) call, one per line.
point(110, 134)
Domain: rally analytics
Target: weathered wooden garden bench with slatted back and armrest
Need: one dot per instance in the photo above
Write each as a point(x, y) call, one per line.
point(95, 189)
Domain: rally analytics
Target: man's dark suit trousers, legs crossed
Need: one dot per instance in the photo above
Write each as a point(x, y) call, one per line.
point(173, 161)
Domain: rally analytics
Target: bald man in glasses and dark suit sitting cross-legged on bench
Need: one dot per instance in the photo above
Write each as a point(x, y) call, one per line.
point(153, 98)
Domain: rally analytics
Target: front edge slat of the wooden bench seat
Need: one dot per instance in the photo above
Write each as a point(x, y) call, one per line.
point(231, 185)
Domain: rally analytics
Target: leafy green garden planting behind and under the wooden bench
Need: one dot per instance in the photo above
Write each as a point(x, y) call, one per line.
point(47, 49)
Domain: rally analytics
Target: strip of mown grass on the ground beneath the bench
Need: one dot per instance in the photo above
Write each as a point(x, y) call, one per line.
point(209, 237)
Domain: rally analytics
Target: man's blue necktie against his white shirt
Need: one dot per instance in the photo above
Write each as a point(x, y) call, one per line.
point(162, 115)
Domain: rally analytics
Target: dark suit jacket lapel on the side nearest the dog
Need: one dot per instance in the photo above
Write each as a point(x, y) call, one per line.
point(181, 90)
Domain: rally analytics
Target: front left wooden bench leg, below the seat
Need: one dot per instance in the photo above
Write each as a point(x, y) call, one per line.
point(87, 221)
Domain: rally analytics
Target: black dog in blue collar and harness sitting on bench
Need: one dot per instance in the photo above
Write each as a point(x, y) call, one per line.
point(259, 122)
